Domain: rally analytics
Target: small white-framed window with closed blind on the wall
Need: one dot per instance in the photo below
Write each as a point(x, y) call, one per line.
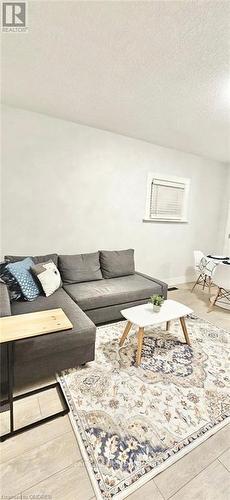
point(167, 198)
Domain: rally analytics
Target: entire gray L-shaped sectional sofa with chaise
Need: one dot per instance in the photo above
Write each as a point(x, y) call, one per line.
point(87, 302)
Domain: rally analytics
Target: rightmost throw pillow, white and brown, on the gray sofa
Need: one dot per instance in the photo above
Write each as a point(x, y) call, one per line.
point(48, 275)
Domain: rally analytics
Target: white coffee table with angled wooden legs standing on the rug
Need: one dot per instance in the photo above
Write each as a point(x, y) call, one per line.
point(143, 316)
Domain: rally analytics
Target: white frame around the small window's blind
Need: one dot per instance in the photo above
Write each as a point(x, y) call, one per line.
point(167, 178)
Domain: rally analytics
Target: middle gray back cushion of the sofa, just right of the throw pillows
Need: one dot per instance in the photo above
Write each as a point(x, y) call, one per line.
point(79, 268)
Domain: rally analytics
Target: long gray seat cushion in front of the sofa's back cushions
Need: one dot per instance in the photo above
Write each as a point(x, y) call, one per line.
point(107, 292)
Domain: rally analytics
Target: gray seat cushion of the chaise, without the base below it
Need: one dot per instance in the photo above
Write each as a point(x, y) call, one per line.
point(82, 333)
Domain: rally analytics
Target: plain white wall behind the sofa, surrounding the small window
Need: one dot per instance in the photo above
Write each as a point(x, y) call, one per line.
point(69, 188)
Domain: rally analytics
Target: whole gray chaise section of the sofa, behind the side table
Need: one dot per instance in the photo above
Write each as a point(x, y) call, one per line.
point(39, 357)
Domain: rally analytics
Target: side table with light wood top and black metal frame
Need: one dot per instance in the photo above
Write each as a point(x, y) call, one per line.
point(25, 326)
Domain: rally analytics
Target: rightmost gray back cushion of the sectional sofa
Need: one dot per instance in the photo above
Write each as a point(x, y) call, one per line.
point(117, 263)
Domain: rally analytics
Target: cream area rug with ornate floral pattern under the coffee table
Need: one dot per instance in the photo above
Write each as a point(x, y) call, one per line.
point(132, 423)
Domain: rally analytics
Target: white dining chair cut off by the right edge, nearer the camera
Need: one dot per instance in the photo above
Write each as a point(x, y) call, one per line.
point(221, 278)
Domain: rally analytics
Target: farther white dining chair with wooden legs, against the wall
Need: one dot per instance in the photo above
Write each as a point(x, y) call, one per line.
point(205, 268)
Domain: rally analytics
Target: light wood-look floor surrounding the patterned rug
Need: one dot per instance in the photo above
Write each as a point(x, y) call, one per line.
point(46, 462)
